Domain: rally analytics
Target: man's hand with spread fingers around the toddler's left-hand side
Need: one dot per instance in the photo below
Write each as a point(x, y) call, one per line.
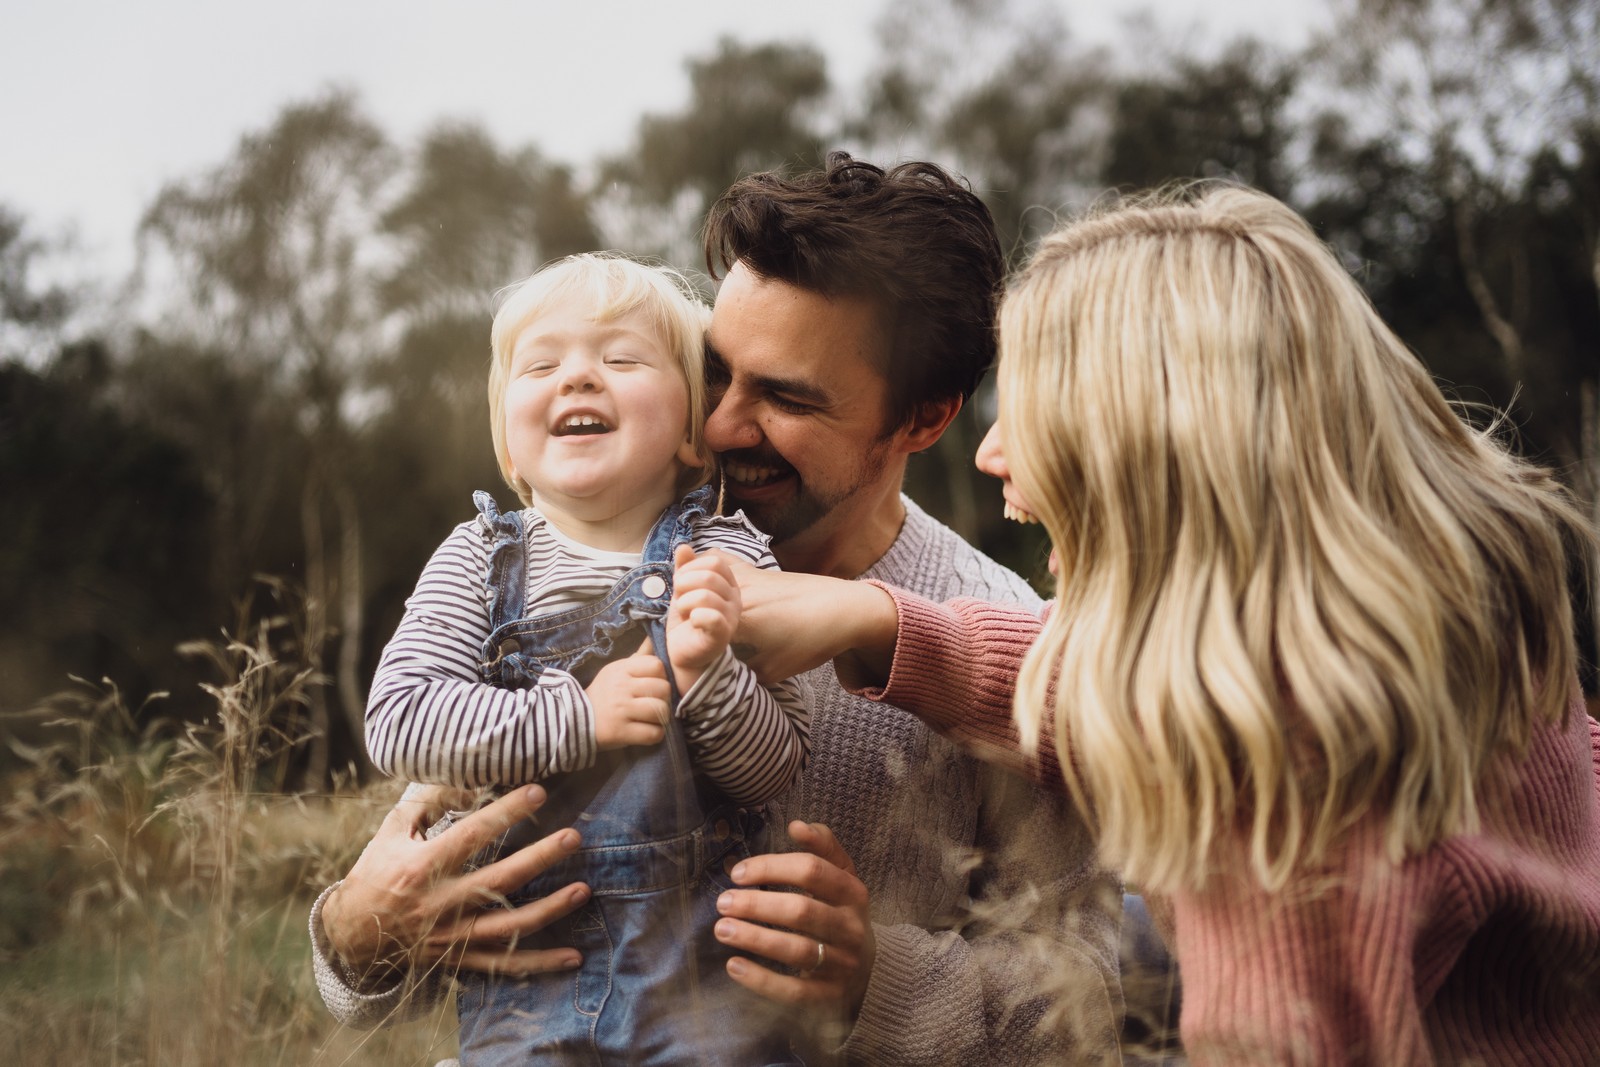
point(407, 906)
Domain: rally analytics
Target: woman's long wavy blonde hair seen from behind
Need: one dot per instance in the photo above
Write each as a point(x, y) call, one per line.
point(1295, 588)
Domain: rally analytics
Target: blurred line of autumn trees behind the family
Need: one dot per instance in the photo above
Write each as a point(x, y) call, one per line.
point(300, 390)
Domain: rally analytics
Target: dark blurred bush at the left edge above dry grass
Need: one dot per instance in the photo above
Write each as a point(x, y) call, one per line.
point(89, 581)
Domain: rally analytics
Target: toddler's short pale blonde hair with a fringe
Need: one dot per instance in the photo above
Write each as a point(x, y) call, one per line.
point(612, 286)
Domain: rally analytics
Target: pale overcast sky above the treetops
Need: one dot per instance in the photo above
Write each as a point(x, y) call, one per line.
point(103, 102)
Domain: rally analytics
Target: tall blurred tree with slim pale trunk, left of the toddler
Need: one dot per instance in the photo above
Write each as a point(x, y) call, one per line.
point(274, 258)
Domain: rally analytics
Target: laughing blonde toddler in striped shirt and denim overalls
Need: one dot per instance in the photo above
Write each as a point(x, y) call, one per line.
point(561, 644)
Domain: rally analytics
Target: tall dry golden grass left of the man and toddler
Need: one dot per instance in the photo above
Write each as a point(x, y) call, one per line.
point(156, 879)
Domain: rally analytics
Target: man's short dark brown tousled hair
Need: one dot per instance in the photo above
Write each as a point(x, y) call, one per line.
point(916, 241)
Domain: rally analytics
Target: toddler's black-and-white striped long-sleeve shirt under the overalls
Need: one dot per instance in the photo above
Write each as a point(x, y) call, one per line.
point(431, 717)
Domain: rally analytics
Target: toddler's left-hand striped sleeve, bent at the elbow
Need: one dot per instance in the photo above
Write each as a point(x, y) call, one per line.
point(431, 719)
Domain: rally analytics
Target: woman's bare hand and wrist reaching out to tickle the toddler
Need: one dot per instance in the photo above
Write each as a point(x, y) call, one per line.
point(793, 623)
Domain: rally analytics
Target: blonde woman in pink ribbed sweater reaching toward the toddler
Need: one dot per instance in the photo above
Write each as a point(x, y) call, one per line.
point(1310, 671)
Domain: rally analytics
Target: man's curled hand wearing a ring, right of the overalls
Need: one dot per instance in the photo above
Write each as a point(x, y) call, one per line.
point(830, 911)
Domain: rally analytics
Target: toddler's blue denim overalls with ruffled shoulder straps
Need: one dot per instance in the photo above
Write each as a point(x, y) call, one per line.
point(658, 842)
